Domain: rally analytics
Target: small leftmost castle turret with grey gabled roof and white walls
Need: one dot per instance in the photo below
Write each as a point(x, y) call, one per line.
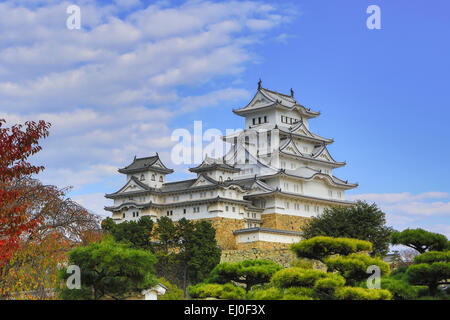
point(149, 170)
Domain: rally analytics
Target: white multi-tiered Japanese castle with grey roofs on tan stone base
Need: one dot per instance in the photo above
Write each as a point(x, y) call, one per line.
point(275, 175)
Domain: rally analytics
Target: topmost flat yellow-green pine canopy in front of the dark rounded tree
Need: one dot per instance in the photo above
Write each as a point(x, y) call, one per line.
point(321, 247)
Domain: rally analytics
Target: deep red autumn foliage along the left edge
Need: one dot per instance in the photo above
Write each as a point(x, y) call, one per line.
point(17, 143)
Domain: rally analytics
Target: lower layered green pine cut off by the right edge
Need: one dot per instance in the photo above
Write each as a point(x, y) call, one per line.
point(431, 269)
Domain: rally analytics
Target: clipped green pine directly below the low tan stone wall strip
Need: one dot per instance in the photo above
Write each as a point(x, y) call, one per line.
point(247, 272)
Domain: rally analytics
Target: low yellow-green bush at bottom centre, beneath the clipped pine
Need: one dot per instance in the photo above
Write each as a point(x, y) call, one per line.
point(219, 291)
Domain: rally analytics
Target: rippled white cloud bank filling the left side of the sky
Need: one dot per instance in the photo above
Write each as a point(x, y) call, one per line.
point(112, 89)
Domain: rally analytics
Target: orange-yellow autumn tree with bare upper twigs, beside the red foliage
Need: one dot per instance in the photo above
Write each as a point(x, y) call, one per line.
point(30, 272)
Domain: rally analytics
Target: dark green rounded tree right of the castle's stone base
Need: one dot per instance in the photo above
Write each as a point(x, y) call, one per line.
point(360, 221)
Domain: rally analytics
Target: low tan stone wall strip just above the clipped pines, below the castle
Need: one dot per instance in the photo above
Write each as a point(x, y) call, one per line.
point(282, 256)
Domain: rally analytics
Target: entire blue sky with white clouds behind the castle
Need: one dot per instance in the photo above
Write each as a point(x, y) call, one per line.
point(137, 70)
